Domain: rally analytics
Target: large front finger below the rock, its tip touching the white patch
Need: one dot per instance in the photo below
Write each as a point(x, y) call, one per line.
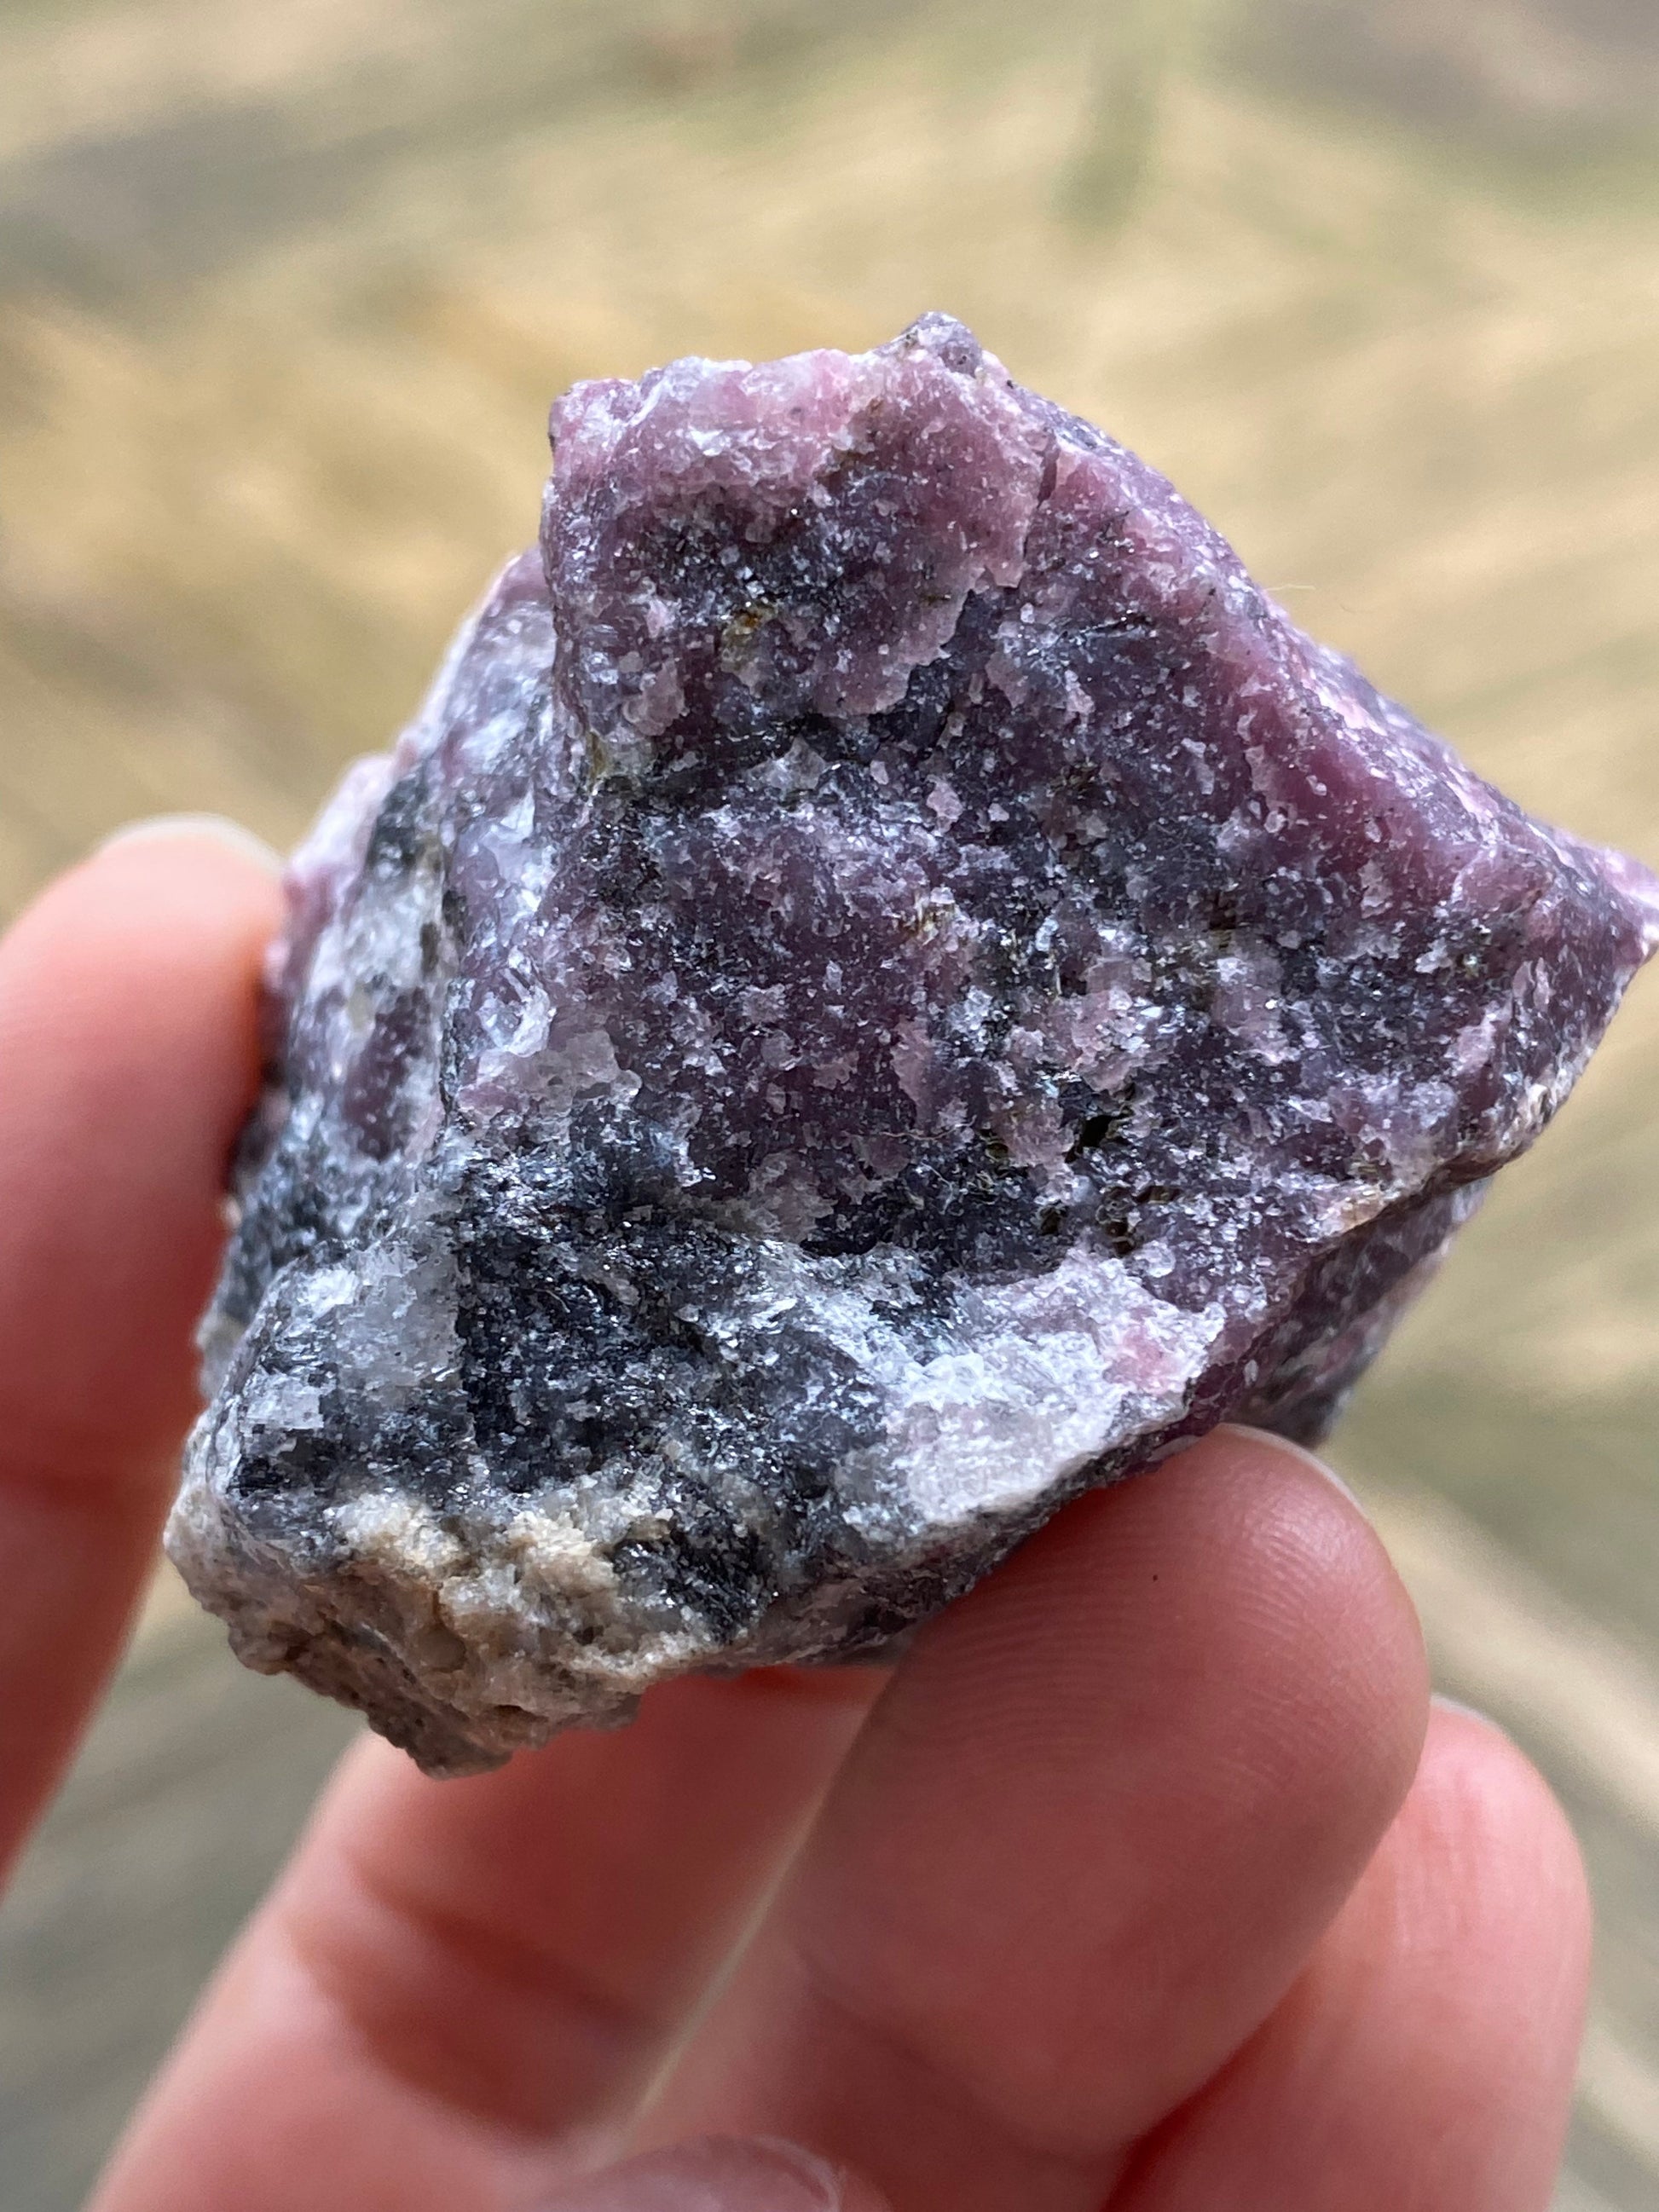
point(1083, 1848)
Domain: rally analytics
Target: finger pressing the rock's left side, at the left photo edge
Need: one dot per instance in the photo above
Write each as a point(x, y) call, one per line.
point(127, 1063)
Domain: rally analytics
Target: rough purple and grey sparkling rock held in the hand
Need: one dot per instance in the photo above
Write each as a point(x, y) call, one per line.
point(888, 985)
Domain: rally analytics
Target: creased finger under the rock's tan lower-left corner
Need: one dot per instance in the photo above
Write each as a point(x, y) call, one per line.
point(459, 1987)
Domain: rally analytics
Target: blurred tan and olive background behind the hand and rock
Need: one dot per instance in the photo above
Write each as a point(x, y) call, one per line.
point(284, 293)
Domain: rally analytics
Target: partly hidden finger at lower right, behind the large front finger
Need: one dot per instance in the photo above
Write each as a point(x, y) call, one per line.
point(1428, 2054)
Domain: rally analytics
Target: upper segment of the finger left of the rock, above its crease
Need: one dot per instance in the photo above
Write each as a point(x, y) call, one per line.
point(129, 1039)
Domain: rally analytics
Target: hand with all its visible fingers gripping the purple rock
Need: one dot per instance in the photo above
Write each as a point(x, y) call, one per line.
point(1151, 1881)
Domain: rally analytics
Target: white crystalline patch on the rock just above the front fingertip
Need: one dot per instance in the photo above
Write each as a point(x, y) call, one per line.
point(1058, 1373)
